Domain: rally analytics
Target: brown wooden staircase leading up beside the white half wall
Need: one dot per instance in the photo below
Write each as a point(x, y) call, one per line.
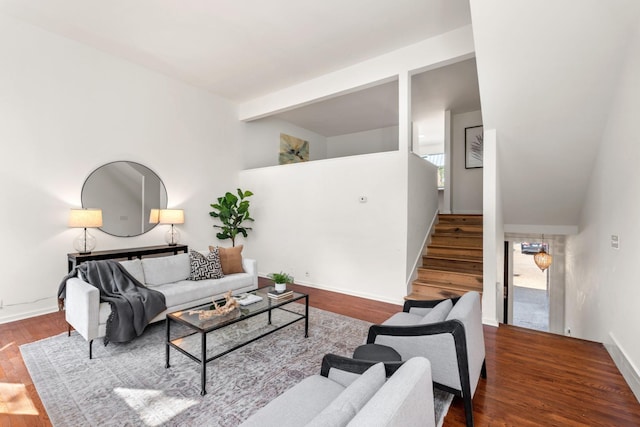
point(452, 261)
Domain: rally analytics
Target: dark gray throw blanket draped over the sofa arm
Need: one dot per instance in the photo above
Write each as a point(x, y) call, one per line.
point(133, 305)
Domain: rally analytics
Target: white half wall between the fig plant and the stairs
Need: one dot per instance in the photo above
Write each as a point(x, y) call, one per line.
point(309, 220)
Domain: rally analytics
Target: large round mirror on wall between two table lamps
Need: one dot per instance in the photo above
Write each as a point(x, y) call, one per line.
point(126, 192)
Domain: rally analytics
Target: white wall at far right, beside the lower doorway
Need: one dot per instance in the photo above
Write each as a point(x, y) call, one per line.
point(602, 290)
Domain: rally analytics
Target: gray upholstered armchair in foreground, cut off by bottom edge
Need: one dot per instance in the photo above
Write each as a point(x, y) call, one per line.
point(355, 393)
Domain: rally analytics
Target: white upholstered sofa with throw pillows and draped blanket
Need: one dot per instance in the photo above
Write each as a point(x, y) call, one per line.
point(168, 275)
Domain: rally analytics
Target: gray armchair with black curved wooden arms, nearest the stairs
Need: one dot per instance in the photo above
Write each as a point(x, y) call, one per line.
point(448, 333)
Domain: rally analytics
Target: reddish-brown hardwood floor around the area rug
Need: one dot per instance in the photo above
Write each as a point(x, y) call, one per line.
point(534, 378)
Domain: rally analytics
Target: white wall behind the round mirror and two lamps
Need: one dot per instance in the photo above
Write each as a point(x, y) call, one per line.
point(67, 109)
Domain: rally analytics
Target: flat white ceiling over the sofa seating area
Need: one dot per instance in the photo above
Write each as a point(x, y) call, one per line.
point(244, 49)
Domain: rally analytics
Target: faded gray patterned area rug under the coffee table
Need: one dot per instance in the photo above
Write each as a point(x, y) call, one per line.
point(128, 384)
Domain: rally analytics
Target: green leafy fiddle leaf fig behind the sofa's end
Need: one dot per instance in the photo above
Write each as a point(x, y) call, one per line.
point(232, 211)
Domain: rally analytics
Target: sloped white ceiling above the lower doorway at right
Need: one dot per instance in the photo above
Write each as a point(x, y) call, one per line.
point(547, 74)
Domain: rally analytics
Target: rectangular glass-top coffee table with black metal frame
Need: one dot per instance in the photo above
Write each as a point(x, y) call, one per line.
point(230, 331)
